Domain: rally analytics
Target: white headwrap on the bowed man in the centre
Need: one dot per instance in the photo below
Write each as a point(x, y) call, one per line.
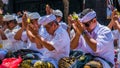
point(46, 19)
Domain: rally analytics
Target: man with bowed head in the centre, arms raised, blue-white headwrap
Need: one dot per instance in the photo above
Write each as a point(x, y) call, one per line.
point(56, 43)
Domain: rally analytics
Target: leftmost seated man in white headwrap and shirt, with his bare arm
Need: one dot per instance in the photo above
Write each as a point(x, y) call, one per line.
point(7, 36)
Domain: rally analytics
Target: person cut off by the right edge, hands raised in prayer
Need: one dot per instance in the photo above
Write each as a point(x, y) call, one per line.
point(115, 24)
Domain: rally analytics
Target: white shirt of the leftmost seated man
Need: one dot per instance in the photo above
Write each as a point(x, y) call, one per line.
point(12, 44)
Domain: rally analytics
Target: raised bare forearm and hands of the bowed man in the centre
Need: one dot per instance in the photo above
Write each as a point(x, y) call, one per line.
point(38, 39)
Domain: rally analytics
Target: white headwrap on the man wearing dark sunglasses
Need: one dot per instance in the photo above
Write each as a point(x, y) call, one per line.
point(89, 16)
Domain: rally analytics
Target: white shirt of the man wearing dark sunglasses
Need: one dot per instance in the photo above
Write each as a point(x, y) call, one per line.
point(105, 47)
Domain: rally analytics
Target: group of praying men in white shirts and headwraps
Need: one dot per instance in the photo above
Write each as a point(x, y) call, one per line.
point(49, 36)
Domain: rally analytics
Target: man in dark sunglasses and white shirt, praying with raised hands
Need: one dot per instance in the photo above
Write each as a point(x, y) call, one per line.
point(93, 38)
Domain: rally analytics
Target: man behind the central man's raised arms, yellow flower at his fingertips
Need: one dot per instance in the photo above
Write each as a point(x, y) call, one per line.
point(22, 33)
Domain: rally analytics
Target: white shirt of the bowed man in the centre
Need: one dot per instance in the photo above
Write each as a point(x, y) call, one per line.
point(61, 43)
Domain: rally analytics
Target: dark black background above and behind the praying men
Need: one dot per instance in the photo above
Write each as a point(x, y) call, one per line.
point(74, 6)
